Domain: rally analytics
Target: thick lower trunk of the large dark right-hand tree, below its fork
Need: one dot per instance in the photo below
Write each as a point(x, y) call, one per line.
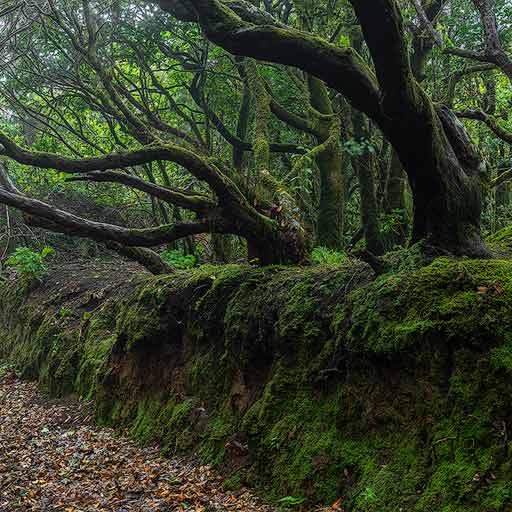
point(445, 185)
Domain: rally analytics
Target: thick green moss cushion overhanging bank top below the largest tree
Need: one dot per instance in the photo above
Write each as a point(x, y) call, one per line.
point(447, 300)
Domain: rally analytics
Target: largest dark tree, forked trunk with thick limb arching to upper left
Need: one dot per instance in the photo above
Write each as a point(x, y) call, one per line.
point(442, 165)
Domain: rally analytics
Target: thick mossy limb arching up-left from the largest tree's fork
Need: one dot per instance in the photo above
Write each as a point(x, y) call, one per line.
point(242, 33)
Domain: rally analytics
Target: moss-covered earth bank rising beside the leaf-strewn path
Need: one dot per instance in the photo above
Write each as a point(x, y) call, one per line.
point(394, 393)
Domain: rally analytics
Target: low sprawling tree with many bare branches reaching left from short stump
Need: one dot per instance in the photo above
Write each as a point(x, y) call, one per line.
point(273, 234)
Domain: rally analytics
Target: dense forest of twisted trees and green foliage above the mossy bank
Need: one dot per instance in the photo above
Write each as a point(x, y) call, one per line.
point(258, 129)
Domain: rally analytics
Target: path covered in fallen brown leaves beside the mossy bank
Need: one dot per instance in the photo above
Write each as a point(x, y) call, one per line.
point(53, 459)
